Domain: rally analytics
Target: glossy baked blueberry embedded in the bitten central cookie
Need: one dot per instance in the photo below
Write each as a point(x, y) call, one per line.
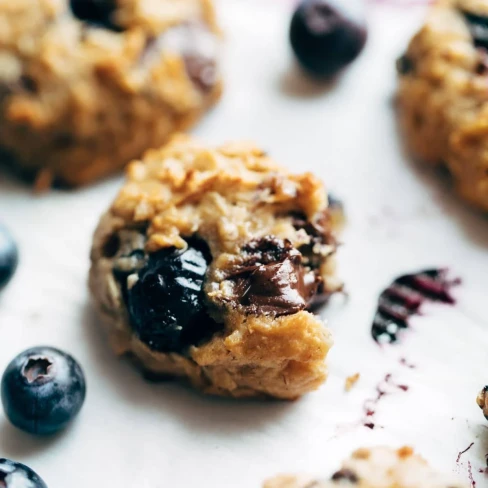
point(166, 304)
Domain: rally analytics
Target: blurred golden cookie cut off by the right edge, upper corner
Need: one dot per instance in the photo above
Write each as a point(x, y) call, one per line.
point(442, 96)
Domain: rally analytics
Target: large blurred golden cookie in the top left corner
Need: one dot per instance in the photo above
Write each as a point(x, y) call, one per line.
point(88, 85)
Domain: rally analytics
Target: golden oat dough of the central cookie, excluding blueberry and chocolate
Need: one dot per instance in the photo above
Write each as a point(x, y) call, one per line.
point(228, 197)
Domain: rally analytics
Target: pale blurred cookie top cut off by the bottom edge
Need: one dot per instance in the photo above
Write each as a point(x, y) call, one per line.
point(378, 467)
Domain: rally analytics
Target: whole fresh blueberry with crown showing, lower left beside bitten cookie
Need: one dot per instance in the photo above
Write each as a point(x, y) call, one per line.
point(42, 390)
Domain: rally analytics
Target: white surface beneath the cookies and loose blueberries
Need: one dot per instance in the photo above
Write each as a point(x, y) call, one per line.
point(401, 219)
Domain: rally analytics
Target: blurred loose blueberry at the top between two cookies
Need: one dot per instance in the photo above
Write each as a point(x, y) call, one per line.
point(327, 35)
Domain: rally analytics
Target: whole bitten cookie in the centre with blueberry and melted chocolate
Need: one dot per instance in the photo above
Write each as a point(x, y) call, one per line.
point(207, 264)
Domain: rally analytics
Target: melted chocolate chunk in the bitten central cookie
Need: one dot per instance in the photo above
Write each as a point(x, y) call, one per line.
point(272, 279)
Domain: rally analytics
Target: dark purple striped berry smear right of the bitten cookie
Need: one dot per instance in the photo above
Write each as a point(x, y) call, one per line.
point(404, 298)
